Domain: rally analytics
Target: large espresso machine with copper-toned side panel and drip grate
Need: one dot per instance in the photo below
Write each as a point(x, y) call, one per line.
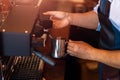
point(20, 34)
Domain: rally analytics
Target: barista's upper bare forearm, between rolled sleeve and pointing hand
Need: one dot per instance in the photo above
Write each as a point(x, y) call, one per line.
point(87, 20)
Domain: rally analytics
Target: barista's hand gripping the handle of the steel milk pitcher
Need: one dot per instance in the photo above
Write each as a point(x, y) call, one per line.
point(80, 49)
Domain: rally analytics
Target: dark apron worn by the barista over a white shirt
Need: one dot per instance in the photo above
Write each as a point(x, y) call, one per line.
point(109, 40)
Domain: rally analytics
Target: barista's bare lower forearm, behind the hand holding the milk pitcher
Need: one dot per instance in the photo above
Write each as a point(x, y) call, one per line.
point(111, 58)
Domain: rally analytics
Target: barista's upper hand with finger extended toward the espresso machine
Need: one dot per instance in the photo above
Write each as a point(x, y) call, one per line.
point(60, 19)
